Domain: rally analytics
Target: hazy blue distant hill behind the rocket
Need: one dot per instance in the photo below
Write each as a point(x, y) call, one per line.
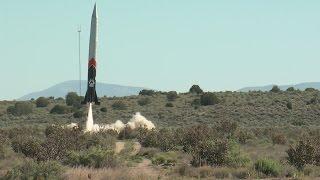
point(61, 89)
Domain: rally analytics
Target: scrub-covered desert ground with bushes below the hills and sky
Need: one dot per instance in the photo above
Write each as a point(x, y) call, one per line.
point(221, 135)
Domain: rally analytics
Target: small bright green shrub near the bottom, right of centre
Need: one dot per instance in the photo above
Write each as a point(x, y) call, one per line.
point(268, 167)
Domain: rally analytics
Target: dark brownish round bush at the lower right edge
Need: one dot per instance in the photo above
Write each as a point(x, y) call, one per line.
point(301, 155)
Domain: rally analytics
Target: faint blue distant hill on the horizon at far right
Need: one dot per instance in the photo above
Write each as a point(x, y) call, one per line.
point(301, 86)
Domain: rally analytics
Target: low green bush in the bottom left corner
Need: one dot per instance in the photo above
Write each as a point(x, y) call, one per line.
point(30, 169)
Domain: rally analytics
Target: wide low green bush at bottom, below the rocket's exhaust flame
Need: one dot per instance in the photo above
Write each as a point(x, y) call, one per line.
point(93, 157)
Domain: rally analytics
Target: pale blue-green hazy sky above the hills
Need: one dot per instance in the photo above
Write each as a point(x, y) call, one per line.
point(160, 44)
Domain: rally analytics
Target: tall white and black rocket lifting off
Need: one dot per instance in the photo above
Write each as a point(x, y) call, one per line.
point(91, 94)
